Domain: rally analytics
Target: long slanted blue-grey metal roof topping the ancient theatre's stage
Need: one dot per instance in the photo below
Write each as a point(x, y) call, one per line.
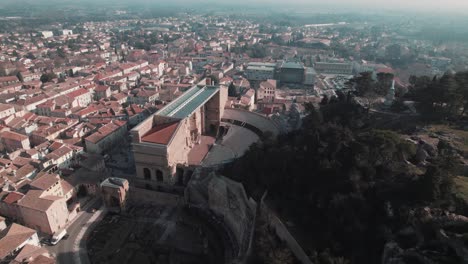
point(188, 102)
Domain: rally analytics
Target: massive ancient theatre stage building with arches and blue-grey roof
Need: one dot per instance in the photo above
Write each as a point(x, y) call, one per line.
point(177, 137)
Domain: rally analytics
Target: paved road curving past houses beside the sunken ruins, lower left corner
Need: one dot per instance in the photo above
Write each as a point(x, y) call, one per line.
point(63, 251)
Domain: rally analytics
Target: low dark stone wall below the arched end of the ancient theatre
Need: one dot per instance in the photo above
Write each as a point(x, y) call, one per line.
point(142, 196)
